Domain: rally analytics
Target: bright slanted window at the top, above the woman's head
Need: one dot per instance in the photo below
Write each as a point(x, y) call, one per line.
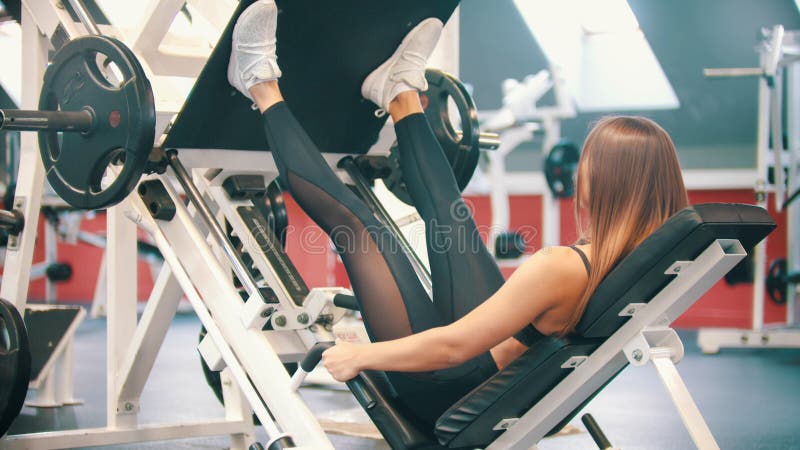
point(605, 57)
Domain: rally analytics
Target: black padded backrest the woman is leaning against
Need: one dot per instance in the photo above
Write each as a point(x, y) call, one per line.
point(636, 279)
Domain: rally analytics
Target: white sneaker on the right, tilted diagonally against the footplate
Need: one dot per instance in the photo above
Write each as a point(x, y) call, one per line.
point(405, 70)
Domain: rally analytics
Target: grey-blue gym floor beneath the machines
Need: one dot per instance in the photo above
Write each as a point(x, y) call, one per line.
point(750, 399)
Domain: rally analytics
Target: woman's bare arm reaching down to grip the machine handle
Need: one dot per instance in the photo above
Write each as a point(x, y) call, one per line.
point(545, 281)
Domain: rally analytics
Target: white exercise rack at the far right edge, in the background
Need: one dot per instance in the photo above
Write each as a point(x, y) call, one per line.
point(778, 167)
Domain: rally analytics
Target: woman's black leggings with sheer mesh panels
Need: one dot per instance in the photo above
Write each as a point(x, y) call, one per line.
point(393, 301)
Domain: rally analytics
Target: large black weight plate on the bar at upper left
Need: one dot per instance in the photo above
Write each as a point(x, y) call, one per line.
point(123, 128)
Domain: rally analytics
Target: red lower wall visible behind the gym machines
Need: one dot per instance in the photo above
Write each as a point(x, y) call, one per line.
point(723, 306)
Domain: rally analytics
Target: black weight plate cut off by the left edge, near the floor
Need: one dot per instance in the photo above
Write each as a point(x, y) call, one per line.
point(15, 364)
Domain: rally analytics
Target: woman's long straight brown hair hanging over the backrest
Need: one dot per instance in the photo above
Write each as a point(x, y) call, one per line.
point(629, 183)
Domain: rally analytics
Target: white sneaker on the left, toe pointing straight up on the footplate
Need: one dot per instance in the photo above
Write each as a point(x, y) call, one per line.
point(253, 56)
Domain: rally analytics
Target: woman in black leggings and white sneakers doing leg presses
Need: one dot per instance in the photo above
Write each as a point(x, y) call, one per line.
point(435, 350)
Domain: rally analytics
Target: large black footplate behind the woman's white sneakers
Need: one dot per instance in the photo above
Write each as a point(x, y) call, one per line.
point(325, 49)
